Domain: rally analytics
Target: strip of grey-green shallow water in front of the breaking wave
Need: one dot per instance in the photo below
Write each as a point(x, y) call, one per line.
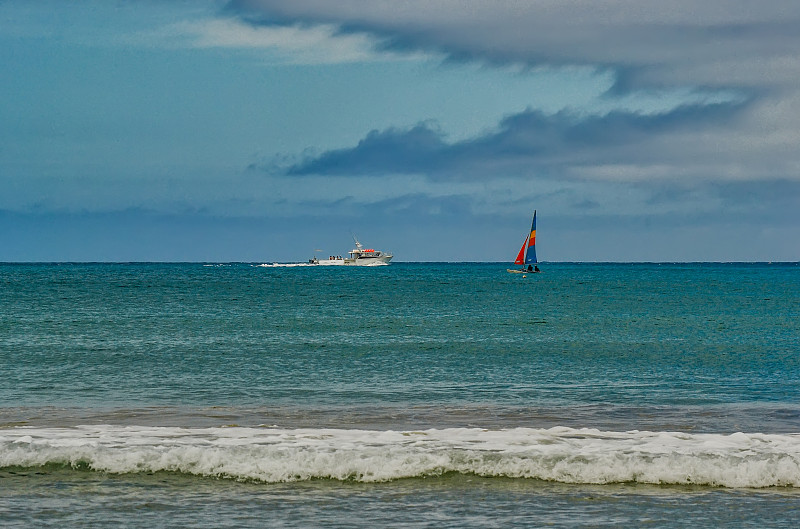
point(54, 497)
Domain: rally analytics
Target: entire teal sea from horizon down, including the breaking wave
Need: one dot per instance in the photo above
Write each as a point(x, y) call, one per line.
point(410, 395)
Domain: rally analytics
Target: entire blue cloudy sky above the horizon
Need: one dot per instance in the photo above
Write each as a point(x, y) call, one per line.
point(263, 131)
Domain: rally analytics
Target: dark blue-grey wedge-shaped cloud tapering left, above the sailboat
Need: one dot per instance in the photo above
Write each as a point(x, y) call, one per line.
point(527, 143)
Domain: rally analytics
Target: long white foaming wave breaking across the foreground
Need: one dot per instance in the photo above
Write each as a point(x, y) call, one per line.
point(277, 455)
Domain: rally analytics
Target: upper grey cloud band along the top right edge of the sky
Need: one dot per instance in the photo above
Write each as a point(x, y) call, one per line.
point(650, 42)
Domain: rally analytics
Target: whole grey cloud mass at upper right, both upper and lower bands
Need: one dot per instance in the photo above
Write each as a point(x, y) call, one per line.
point(743, 52)
